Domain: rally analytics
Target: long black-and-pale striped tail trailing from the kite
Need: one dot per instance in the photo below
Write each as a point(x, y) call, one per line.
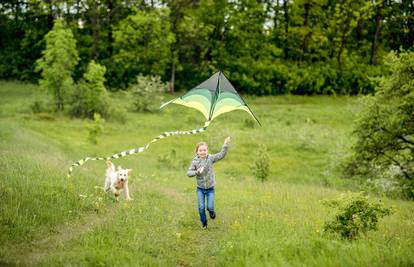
point(138, 149)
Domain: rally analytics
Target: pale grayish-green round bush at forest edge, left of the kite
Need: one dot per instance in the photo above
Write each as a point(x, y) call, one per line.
point(146, 91)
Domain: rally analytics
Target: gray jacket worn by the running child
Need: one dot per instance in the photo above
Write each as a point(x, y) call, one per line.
point(206, 179)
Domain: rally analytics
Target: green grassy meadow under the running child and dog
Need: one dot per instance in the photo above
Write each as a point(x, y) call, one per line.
point(49, 220)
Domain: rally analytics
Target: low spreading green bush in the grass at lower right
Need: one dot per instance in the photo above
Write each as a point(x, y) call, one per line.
point(356, 214)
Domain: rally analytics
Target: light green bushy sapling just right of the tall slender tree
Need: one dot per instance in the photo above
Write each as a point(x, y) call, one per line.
point(90, 95)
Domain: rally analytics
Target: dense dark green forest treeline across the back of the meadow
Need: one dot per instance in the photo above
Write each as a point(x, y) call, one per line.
point(265, 47)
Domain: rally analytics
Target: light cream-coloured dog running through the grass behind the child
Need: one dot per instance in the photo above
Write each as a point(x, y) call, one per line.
point(117, 180)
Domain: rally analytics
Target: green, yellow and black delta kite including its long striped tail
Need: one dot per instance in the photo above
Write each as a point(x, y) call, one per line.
point(212, 98)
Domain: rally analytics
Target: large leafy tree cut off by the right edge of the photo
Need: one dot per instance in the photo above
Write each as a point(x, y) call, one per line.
point(385, 128)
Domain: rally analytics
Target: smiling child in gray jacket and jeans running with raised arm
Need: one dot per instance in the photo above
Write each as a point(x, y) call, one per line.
point(202, 168)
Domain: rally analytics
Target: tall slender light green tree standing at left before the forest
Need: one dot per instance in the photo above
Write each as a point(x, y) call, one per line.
point(57, 63)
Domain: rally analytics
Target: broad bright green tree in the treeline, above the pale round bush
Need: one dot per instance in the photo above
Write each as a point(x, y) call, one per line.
point(142, 44)
